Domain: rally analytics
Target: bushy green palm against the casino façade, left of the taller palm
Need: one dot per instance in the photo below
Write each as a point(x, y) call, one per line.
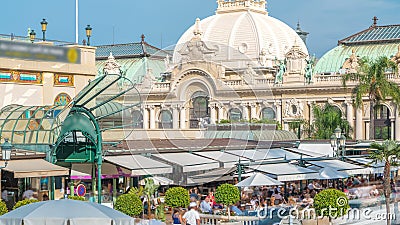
point(327, 119)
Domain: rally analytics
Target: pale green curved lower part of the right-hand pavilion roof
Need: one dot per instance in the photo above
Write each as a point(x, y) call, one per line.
point(333, 60)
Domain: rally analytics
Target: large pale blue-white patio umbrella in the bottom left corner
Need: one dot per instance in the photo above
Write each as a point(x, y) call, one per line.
point(65, 211)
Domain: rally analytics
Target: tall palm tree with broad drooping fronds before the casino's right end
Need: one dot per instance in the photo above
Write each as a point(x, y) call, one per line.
point(372, 81)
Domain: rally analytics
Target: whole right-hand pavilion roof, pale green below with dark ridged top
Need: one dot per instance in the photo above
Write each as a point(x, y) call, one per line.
point(373, 42)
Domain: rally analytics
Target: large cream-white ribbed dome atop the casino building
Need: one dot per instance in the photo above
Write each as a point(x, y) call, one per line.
point(242, 31)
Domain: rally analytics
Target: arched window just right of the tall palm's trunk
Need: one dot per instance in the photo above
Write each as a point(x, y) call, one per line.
point(382, 122)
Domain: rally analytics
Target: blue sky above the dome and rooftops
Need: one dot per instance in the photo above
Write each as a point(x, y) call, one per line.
point(164, 21)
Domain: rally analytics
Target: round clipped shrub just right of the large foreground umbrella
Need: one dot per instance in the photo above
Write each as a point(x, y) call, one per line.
point(129, 204)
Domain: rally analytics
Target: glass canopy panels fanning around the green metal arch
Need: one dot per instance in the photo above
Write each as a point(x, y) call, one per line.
point(108, 98)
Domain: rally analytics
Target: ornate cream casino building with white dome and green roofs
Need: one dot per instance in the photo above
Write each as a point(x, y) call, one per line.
point(242, 64)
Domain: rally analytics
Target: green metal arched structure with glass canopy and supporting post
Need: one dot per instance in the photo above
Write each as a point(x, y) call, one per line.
point(73, 133)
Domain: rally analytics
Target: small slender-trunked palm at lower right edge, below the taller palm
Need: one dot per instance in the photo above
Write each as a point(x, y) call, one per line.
point(388, 153)
